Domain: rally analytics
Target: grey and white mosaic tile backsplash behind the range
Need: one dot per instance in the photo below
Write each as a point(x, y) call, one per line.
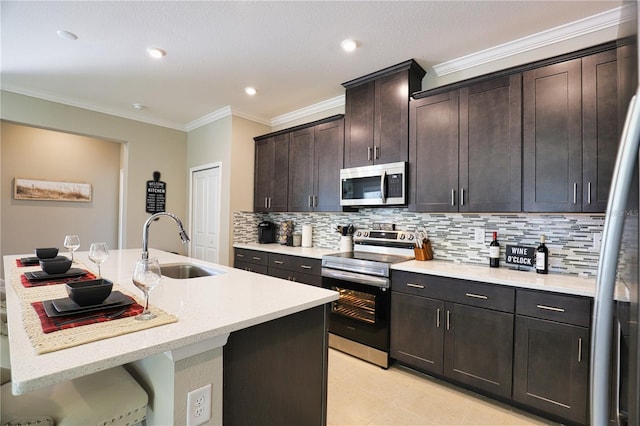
point(569, 237)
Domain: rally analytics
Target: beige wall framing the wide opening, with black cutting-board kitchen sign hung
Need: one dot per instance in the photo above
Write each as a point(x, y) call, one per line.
point(146, 148)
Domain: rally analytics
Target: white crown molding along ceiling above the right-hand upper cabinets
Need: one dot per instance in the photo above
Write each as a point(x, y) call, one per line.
point(565, 32)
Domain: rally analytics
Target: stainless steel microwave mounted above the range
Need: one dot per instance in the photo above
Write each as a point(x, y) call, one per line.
point(377, 185)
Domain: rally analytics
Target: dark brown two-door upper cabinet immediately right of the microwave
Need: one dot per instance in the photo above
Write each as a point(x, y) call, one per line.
point(466, 148)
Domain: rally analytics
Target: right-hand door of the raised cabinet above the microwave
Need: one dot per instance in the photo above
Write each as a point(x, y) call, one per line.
point(391, 129)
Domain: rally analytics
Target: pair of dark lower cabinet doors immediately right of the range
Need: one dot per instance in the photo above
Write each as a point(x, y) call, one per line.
point(467, 344)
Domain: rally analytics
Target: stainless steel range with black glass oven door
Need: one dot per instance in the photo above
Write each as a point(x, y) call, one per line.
point(359, 319)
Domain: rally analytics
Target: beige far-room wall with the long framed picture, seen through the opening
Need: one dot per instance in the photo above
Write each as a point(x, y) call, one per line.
point(30, 152)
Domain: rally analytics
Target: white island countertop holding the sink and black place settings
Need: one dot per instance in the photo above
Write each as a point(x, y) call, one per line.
point(207, 308)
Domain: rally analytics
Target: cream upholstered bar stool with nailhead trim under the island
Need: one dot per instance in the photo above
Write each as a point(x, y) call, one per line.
point(110, 397)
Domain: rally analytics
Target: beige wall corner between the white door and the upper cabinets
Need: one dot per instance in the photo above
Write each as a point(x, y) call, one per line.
point(228, 141)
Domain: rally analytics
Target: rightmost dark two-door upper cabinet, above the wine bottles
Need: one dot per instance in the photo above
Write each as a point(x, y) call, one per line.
point(570, 134)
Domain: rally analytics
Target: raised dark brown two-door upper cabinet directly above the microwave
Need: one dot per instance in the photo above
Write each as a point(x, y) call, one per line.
point(377, 115)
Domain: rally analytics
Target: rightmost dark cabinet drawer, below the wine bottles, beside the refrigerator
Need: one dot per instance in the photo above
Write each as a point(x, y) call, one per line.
point(563, 308)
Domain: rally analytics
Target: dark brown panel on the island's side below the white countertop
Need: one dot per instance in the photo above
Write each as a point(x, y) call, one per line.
point(275, 373)
